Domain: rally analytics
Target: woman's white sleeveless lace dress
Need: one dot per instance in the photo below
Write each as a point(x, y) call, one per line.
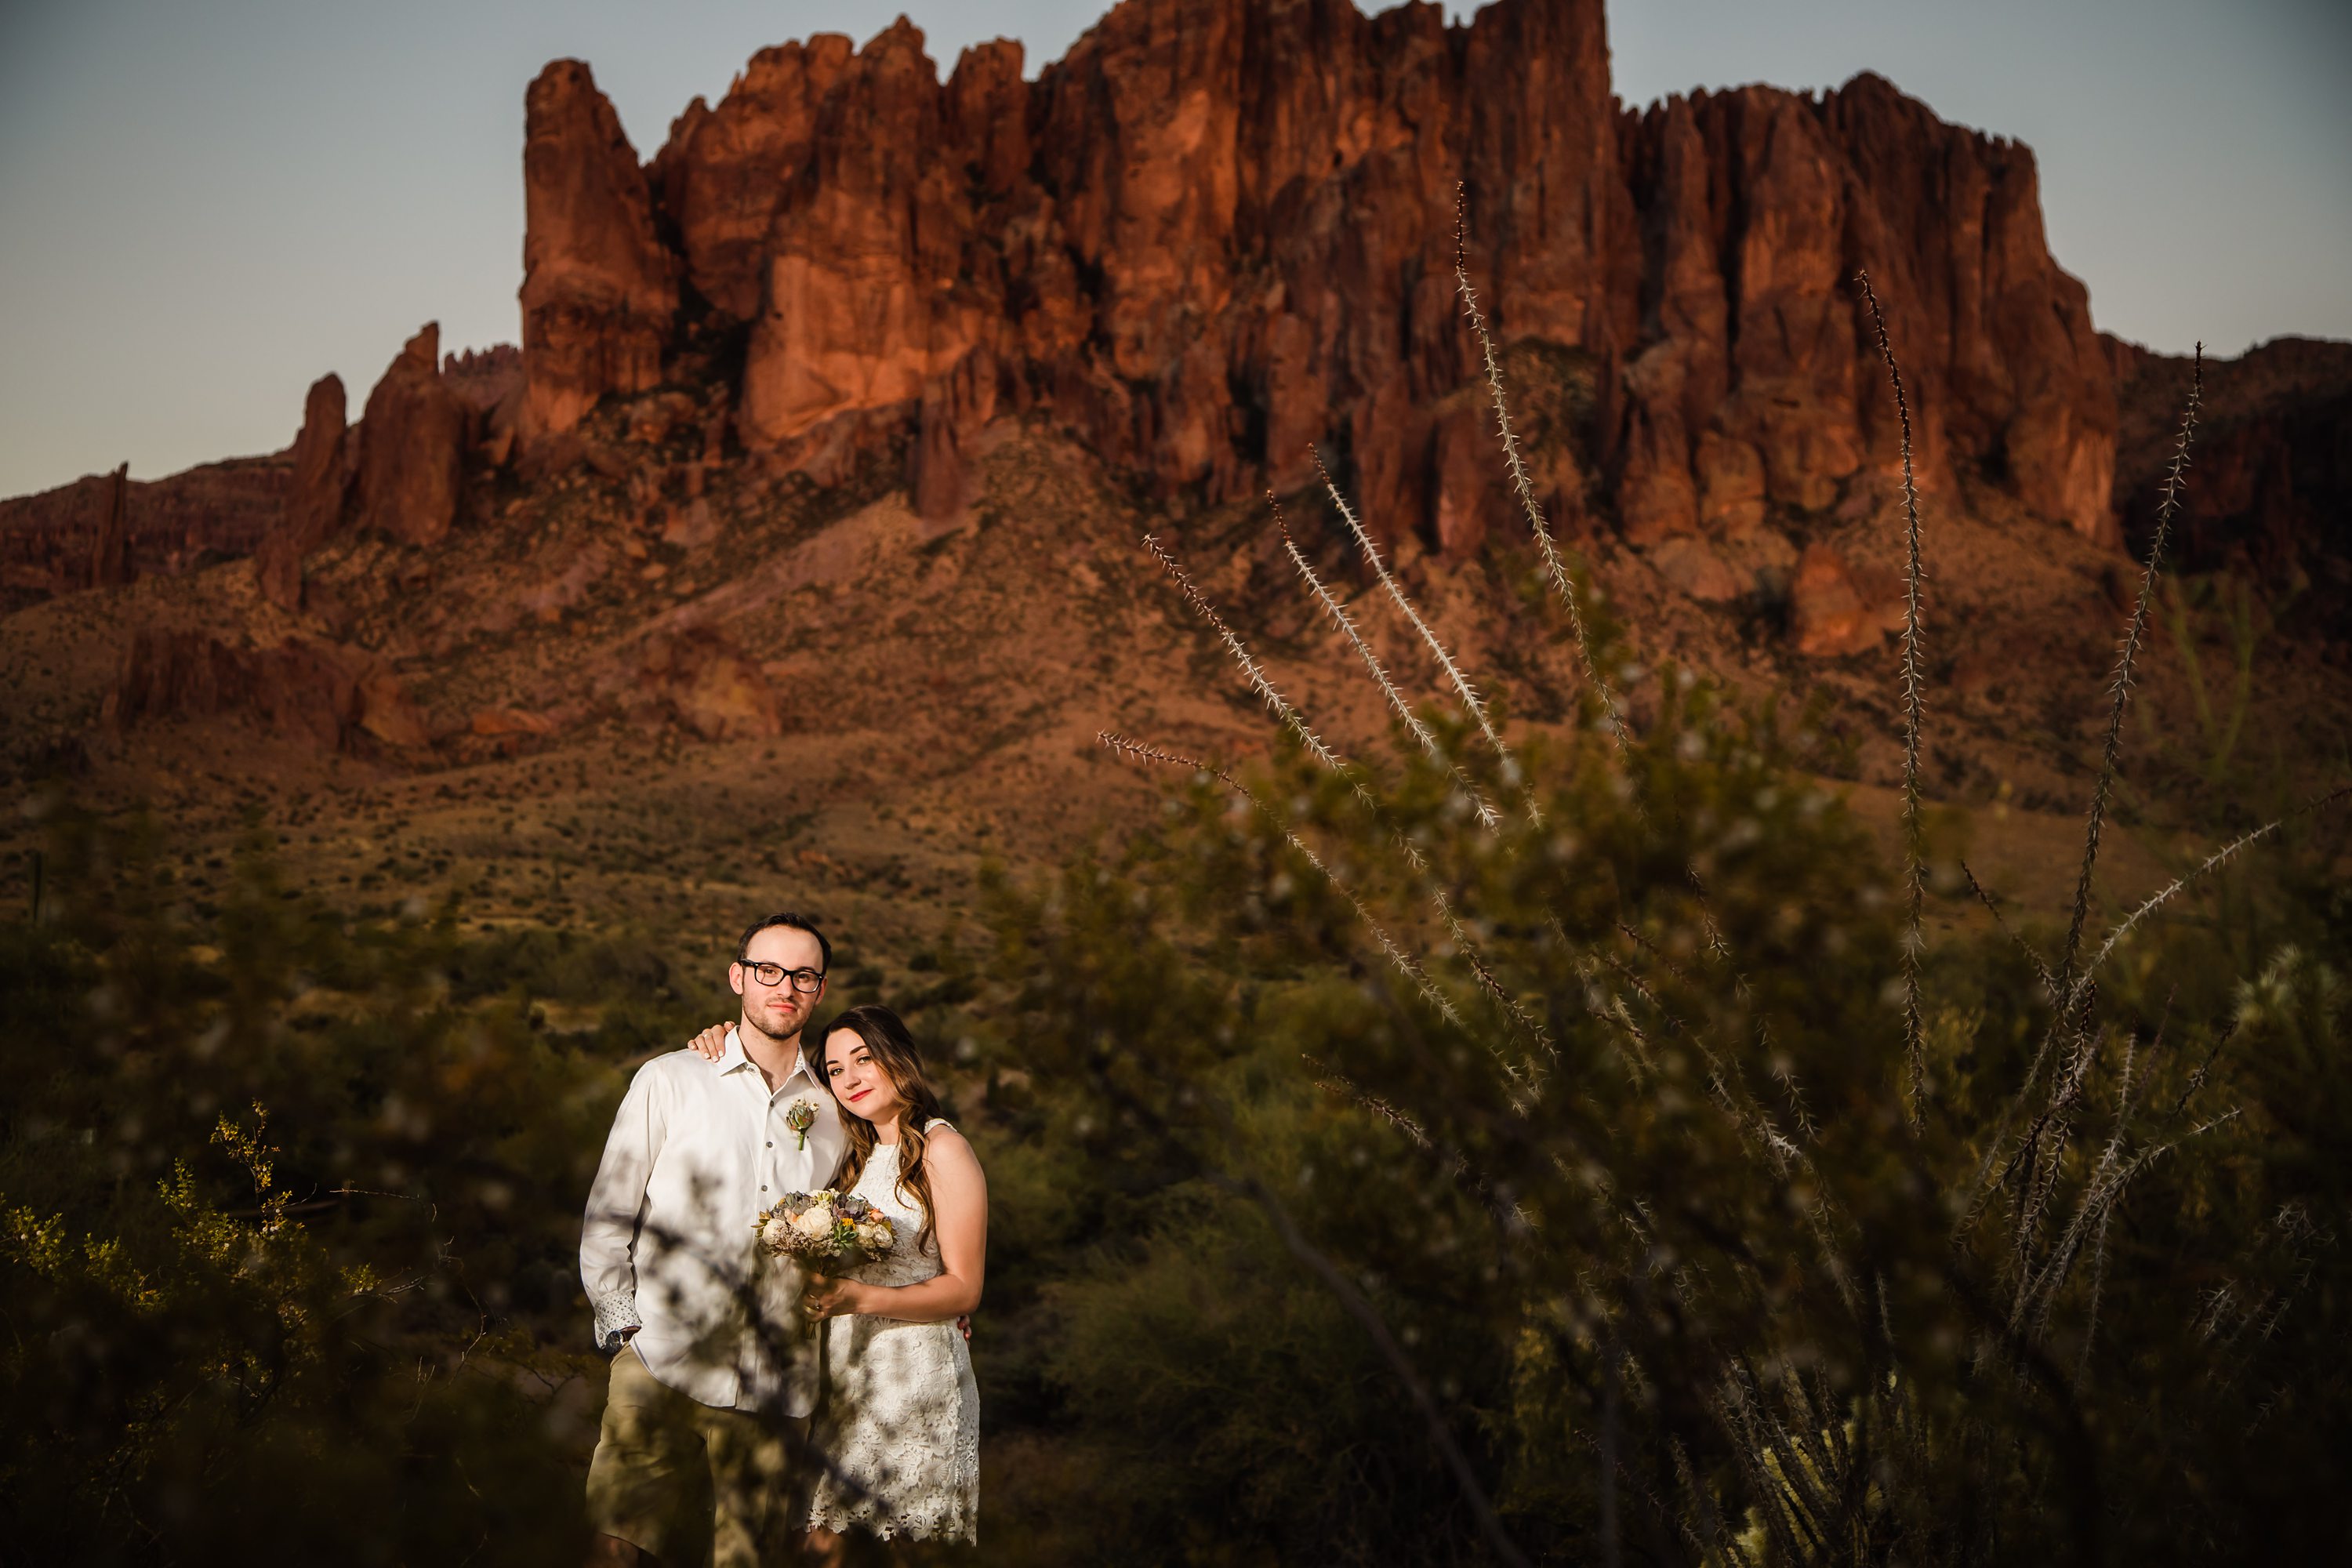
point(902, 1416)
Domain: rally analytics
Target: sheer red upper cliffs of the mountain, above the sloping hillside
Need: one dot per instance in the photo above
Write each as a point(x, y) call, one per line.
point(1220, 232)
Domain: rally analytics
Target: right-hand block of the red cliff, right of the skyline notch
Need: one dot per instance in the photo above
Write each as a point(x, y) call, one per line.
point(1753, 375)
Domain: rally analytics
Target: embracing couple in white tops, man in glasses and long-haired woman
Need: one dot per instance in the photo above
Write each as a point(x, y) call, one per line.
point(756, 1412)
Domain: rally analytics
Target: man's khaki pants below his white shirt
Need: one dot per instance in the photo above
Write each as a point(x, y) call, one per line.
point(674, 1475)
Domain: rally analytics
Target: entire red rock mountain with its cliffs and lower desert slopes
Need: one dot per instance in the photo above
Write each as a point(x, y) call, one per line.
point(801, 542)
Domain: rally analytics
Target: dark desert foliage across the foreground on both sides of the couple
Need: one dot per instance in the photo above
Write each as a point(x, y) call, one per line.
point(1295, 1259)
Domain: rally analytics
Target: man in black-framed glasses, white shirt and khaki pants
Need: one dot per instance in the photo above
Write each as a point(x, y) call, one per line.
point(707, 1388)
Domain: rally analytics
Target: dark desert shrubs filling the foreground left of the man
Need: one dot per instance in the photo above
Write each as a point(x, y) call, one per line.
point(288, 1228)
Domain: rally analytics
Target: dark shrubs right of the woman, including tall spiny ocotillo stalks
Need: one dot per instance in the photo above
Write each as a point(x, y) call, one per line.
point(1695, 1207)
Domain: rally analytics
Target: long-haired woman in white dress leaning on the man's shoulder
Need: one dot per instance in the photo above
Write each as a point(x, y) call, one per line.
point(902, 1421)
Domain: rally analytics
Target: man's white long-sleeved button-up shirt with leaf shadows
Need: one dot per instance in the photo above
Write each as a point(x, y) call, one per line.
point(697, 1151)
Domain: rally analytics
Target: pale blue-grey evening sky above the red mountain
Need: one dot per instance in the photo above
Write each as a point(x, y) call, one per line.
point(211, 203)
